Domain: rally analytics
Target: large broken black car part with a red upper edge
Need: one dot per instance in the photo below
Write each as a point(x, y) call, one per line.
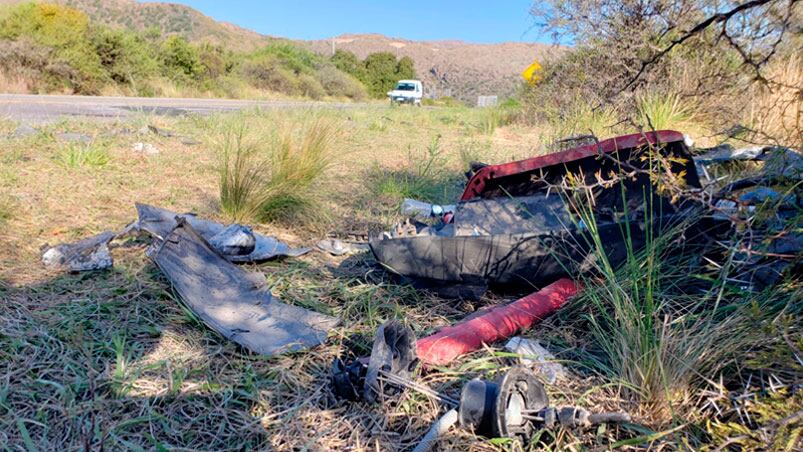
point(512, 226)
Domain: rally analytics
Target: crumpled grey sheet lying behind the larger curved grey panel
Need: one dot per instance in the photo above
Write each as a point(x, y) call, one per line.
point(160, 222)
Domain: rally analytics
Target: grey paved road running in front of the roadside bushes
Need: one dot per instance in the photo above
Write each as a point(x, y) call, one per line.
point(43, 109)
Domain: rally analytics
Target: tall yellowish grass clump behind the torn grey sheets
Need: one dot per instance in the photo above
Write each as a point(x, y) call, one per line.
point(268, 177)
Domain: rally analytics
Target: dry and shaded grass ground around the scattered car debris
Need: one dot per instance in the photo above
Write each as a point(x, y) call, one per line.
point(112, 360)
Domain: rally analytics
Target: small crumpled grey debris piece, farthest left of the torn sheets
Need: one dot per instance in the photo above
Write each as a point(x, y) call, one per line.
point(89, 254)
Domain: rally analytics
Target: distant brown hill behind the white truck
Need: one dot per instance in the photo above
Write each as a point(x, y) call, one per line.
point(455, 68)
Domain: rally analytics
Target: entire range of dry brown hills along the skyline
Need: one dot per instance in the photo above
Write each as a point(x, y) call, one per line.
point(448, 68)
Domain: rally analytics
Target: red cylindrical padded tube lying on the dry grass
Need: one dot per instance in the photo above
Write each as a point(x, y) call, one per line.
point(497, 324)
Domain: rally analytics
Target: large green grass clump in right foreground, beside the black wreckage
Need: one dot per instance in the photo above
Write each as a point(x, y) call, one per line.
point(653, 326)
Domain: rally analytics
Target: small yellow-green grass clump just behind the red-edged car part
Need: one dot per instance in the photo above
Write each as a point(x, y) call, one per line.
point(666, 111)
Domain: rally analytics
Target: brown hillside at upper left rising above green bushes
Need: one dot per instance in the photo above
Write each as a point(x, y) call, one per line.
point(168, 18)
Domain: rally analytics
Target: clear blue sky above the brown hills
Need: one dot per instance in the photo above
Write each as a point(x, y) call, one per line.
point(483, 21)
